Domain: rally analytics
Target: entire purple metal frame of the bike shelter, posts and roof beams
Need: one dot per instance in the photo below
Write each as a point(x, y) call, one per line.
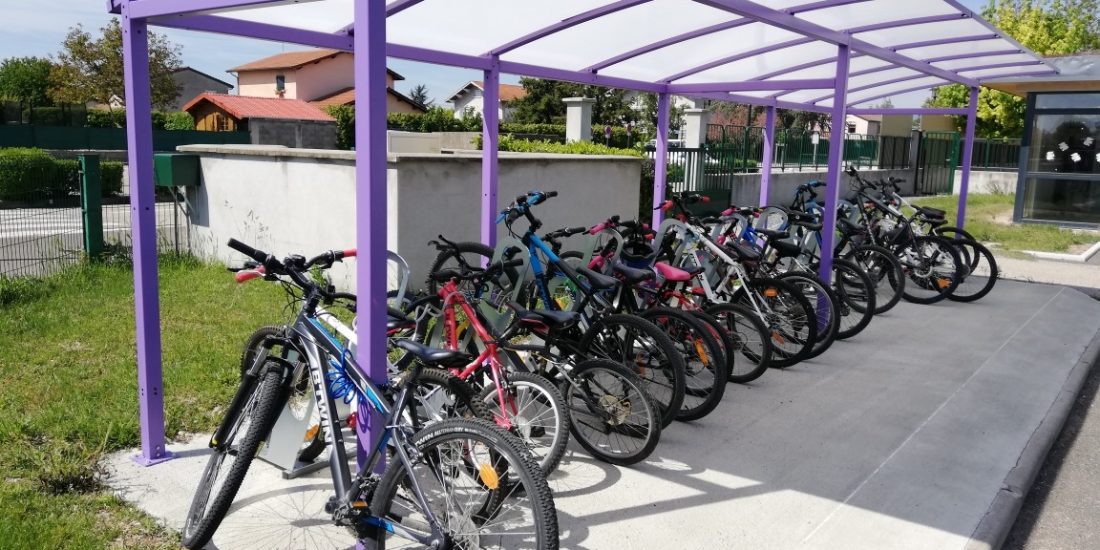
point(371, 168)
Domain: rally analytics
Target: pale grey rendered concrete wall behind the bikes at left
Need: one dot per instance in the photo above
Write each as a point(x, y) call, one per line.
point(303, 202)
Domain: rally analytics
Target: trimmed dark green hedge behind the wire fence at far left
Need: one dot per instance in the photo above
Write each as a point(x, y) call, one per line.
point(29, 172)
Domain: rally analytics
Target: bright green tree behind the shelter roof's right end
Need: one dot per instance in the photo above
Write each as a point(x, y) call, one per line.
point(1048, 28)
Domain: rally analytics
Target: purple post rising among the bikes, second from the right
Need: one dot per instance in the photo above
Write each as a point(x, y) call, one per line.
point(835, 161)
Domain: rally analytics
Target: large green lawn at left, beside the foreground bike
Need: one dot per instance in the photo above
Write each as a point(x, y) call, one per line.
point(69, 391)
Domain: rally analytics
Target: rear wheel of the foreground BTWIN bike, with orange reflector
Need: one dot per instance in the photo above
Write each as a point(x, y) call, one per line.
point(460, 464)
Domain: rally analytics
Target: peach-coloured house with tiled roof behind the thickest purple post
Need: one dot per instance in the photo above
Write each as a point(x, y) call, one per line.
point(321, 76)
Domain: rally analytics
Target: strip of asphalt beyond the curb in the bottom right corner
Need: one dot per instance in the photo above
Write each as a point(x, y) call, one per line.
point(1062, 509)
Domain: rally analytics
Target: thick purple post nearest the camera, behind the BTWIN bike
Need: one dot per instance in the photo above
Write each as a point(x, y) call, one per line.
point(370, 74)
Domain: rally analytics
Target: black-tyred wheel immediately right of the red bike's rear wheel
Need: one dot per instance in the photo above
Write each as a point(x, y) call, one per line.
point(630, 414)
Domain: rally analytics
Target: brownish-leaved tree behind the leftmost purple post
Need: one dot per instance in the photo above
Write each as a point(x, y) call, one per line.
point(92, 70)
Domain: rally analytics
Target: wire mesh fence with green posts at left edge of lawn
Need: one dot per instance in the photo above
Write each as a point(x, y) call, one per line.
point(45, 230)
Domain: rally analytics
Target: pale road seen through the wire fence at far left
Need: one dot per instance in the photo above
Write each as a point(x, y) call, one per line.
point(37, 241)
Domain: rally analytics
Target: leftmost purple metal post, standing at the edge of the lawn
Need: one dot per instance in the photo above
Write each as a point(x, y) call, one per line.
point(144, 216)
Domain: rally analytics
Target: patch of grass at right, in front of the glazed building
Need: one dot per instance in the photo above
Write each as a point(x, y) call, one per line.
point(986, 216)
